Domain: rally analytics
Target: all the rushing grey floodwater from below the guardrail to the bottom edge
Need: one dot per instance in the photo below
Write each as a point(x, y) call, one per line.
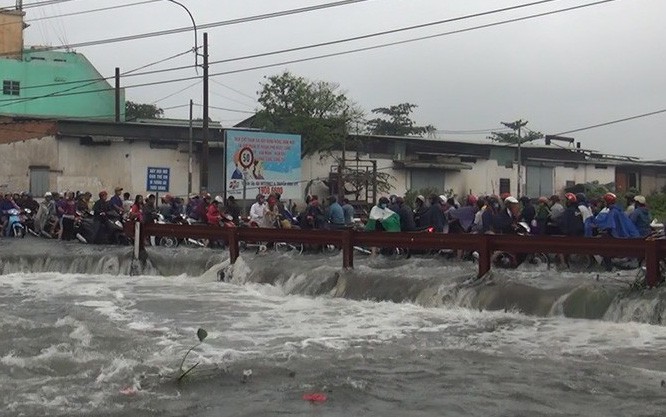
point(414, 337)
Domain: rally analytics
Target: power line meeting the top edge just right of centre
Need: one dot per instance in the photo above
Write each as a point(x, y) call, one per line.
point(204, 26)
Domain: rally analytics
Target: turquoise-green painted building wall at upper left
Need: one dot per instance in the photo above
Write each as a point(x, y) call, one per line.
point(54, 71)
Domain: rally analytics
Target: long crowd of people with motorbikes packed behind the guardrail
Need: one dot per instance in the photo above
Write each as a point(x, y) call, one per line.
point(59, 215)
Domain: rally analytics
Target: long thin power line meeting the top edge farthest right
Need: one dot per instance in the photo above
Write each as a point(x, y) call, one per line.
point(299, 60)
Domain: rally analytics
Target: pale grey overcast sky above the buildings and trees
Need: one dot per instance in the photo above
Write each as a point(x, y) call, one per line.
point(560, 72)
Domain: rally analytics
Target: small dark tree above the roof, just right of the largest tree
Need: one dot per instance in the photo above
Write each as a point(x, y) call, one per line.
point(396, 121)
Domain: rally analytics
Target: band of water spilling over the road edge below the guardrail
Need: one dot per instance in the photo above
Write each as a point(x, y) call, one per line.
point(429, 282)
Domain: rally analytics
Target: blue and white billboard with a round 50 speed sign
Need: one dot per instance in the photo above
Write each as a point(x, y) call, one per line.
point(266, 162)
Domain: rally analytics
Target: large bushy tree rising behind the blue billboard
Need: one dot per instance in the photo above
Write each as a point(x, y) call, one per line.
point(316, 110)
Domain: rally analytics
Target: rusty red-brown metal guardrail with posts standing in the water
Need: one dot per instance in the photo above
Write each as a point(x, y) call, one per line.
point(651, 251)
